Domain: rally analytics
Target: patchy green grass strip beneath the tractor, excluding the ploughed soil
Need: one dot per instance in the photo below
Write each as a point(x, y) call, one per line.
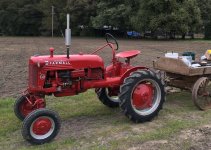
point(87, 124)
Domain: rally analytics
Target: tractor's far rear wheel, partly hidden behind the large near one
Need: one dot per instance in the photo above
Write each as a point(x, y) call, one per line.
point(103, 95)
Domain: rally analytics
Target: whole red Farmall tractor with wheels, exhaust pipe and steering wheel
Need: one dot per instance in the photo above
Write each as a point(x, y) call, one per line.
point(138, 91)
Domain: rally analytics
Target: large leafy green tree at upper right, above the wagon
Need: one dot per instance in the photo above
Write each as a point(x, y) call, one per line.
point(169, 16)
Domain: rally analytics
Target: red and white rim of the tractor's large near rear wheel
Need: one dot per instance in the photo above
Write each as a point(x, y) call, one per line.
point(146, 97)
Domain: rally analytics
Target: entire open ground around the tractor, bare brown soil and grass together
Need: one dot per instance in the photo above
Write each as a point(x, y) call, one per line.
point(88, 124)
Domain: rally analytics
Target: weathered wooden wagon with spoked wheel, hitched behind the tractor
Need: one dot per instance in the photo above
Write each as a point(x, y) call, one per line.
point(195, 79)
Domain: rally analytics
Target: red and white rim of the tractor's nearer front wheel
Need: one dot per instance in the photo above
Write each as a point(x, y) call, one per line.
point(42, 127)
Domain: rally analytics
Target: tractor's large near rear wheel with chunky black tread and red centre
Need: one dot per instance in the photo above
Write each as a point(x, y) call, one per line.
point(142, 96)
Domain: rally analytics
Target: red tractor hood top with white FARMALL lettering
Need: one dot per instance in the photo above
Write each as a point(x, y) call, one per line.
point(78, 61)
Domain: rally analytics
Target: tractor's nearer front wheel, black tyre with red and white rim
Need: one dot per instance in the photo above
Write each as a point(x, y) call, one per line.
point(41, 126)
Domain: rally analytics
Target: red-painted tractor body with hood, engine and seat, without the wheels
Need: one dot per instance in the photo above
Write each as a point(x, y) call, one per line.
point(62, 76)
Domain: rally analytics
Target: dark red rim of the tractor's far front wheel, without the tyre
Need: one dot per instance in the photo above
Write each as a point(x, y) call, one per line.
point(26, 107)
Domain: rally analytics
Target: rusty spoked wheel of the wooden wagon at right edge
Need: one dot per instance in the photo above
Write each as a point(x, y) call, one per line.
point(201, 93)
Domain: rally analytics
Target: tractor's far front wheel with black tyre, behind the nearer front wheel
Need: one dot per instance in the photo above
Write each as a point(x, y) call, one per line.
point(26, 104)
